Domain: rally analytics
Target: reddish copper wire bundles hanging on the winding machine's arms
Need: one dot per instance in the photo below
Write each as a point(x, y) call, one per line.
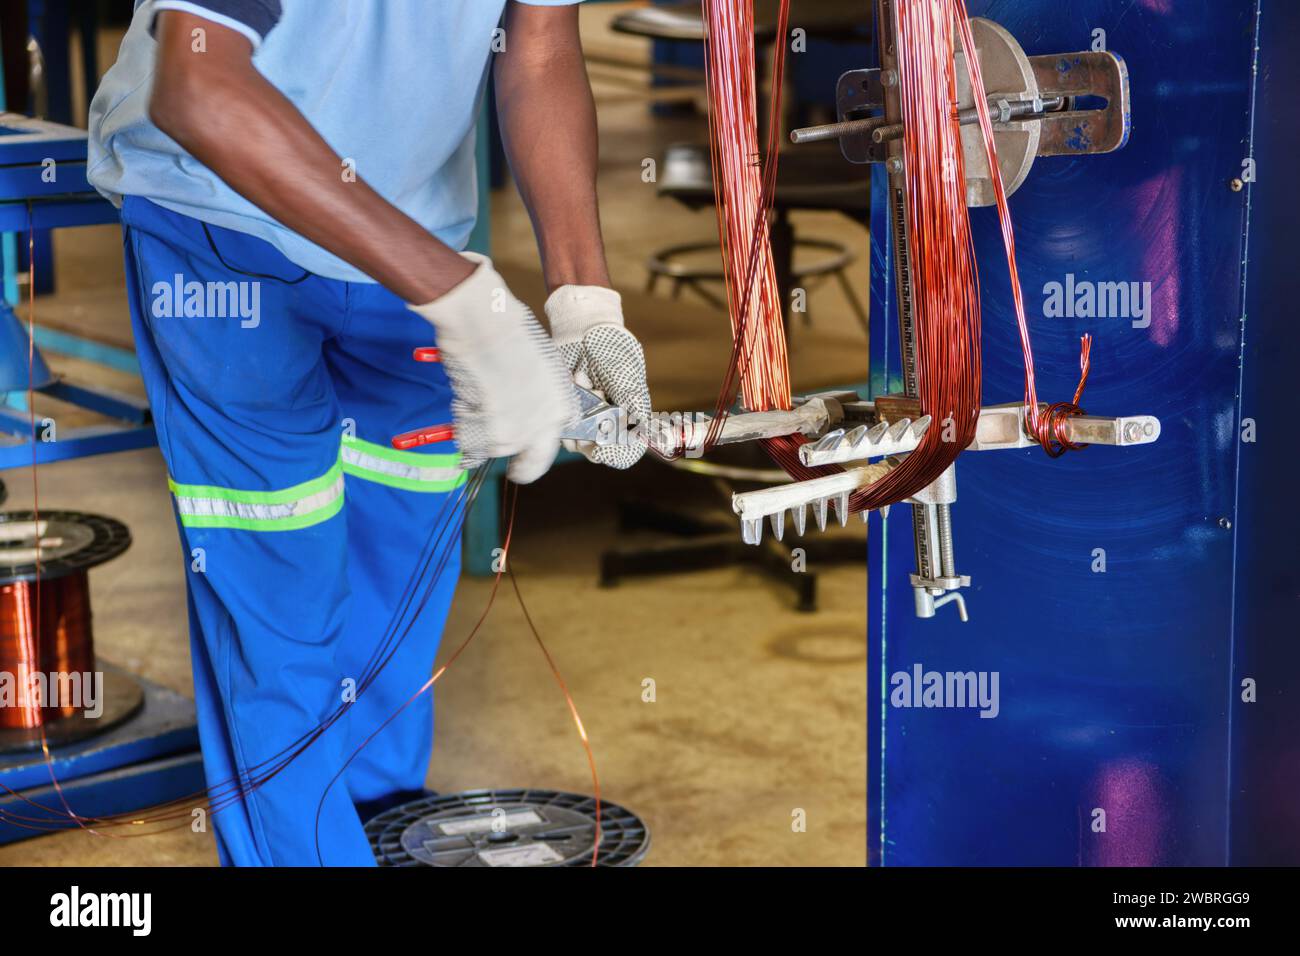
point(946, 297)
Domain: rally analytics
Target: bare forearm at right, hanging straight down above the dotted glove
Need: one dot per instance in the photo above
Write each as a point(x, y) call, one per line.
point(548, 124)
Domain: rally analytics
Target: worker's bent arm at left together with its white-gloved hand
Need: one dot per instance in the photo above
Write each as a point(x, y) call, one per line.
point(512, 392)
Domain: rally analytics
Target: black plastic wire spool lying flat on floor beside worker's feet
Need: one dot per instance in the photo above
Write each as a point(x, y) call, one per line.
point(506, 828)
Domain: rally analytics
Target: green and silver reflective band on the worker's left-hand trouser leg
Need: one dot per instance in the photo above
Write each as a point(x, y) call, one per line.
point(301, 507)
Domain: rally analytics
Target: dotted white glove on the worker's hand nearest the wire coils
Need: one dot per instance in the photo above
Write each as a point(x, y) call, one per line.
point(587, 325)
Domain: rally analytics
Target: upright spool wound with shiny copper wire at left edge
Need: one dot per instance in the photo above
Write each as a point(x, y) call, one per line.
point(53, 689)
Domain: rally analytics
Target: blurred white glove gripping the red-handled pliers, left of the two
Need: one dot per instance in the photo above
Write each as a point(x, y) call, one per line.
point(513, 393)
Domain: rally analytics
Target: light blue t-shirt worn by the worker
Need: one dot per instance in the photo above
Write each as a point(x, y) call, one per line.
point(392, 85)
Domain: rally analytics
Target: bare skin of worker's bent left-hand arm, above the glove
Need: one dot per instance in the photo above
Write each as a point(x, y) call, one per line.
point(223, 111)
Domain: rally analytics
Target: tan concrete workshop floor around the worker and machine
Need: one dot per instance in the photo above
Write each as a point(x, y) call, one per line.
point(760, 711)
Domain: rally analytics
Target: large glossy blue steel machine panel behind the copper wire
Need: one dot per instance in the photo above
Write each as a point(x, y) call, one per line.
point(1117, 689)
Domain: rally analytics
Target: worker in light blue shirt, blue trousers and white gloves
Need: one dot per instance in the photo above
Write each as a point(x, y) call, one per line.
point(297, 181)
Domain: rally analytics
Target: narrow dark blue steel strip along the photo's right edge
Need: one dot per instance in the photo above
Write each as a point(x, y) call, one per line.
point(1266, 771)
